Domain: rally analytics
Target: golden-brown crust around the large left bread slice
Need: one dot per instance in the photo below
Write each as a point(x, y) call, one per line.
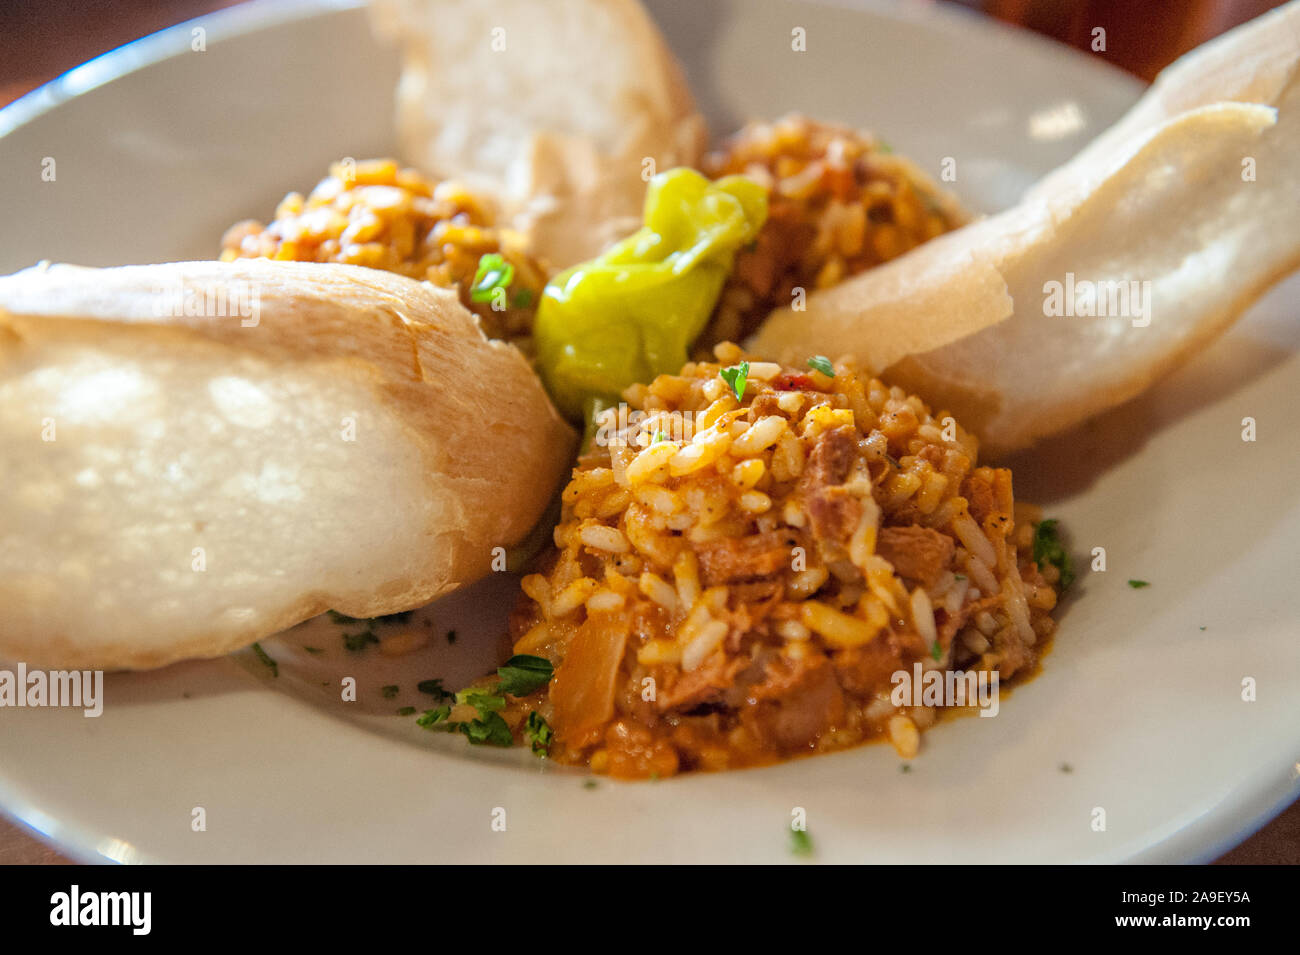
point(489, 441)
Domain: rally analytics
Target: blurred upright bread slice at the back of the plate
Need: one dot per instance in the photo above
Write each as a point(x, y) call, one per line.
point(561, 108)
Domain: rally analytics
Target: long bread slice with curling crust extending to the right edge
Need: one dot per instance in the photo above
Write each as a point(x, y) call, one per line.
point(1111, 272)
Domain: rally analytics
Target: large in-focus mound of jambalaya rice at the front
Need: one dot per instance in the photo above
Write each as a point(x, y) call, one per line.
point(735, 581)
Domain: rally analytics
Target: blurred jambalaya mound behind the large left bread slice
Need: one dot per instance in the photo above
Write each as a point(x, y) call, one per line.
point(383, 216)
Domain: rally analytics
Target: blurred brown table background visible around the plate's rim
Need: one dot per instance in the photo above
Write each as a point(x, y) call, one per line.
point(41, 40)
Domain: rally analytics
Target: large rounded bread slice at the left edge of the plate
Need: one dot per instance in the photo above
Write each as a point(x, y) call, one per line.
point(198, 455)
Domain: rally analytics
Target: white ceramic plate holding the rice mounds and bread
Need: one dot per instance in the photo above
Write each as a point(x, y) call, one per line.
point(161, 147)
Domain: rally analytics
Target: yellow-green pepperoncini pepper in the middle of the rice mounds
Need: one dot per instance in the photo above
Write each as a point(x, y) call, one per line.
point(634, 312)
